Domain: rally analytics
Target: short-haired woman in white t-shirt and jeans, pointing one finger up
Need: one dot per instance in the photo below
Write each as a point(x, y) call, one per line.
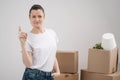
point(39, 48)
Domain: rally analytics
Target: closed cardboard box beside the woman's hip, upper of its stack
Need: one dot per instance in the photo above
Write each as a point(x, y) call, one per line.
point(68, 61)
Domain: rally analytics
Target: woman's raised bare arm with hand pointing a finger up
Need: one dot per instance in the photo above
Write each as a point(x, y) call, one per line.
point(26, 56)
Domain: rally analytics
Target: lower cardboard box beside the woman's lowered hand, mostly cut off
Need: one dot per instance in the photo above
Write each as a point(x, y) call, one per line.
point(67, 76)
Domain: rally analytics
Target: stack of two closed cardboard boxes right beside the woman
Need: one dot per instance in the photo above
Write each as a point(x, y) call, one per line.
point(68, 64)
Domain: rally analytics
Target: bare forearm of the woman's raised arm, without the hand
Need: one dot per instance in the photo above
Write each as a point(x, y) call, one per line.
point(26, 57)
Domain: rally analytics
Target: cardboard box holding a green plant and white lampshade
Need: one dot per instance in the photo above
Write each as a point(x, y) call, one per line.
point(102, 61)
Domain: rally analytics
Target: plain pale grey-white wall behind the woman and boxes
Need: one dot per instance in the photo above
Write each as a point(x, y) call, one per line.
point(78, 23)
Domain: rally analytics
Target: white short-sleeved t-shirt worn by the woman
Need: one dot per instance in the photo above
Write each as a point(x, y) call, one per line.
point(43, 46)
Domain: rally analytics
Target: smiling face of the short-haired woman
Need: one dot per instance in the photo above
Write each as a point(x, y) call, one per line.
point(36, 18)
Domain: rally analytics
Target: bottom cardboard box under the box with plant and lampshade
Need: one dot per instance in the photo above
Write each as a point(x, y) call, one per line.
point(86, 75)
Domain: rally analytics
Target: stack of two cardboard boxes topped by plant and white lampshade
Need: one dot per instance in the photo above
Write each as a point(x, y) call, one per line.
point(102, 65)
